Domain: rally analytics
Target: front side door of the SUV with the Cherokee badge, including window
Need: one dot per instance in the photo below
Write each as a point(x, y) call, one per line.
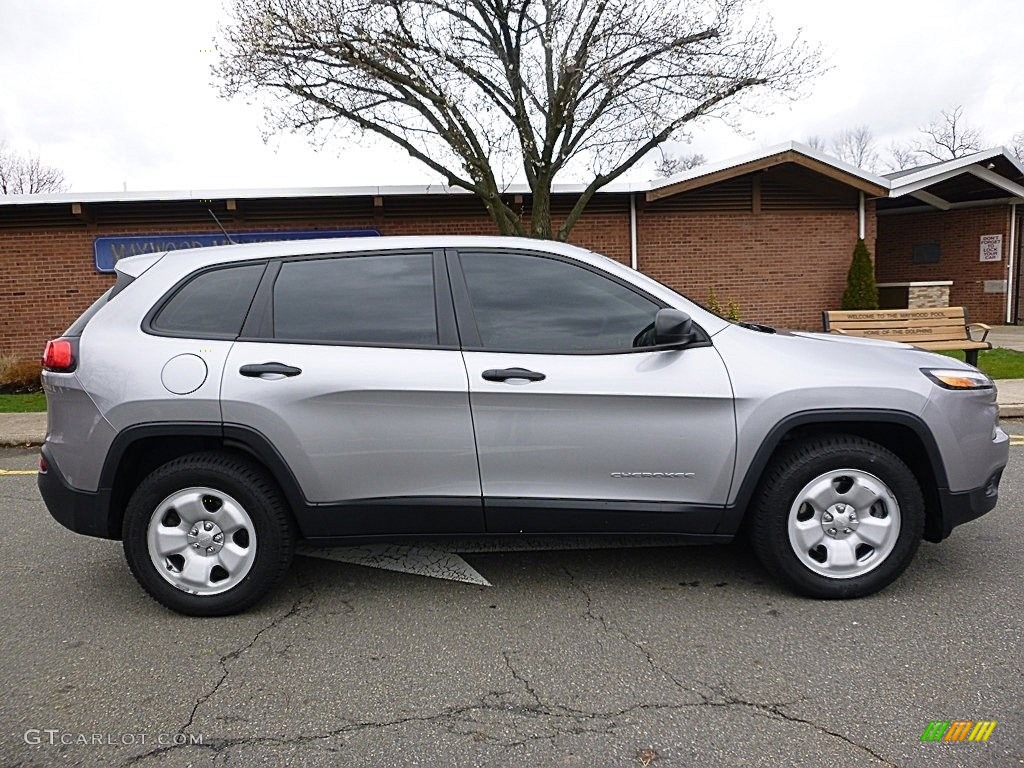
point(577, 429)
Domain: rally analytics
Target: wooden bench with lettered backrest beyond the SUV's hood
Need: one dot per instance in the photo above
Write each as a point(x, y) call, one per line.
point(942, 328)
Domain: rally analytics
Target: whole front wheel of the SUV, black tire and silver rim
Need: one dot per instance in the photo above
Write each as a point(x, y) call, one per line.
point(838, 518)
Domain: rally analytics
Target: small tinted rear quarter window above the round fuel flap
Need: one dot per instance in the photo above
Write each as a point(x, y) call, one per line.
point(214, 304)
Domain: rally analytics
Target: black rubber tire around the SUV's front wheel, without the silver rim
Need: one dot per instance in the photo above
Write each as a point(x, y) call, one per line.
point(791, 472)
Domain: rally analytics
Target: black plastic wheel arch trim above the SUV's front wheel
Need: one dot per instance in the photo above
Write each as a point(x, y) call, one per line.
point(736, 511)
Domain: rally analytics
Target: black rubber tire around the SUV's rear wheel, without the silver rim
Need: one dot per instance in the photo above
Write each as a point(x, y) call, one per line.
point(238, 478)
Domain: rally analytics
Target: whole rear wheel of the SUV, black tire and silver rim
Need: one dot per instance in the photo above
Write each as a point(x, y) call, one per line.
point(208, 534)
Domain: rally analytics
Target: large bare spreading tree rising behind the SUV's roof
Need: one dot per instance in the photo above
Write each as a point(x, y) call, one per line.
point(482, 92)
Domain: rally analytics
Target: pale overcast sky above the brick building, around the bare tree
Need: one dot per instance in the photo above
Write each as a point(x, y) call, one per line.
point(119, 92)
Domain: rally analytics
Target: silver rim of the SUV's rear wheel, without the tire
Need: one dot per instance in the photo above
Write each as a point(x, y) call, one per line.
point(202, 541)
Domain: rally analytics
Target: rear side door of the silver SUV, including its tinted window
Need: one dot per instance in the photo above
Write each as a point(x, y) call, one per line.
point(352, 371)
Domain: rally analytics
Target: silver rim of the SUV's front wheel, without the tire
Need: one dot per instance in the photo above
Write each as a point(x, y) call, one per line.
point(844, 524)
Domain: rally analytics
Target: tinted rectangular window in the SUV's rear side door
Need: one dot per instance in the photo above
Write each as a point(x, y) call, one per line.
point(381, 300)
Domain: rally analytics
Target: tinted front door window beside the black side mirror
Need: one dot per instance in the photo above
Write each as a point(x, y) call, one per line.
point(534, 305)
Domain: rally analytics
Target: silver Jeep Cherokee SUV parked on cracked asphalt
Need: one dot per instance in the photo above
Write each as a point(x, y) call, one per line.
point(220, 405)
